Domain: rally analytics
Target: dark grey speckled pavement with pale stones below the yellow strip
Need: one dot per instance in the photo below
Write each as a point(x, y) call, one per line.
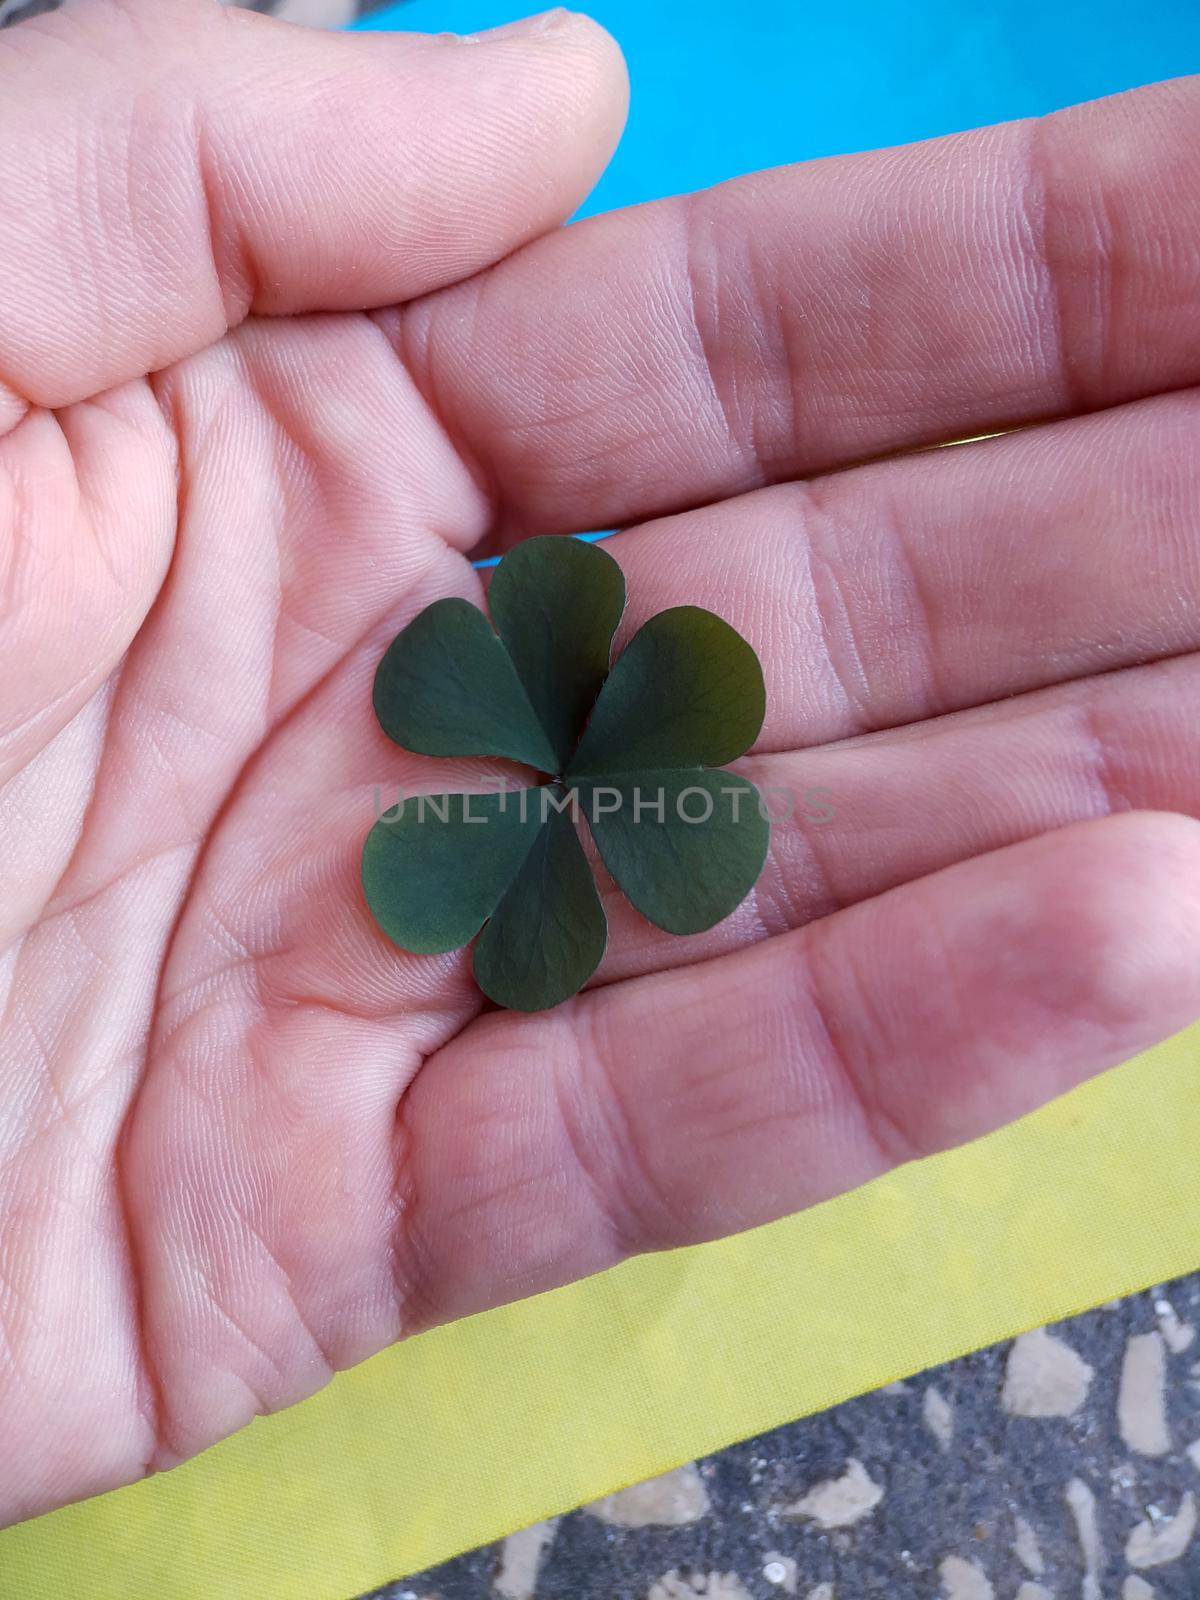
point(1063, 1466)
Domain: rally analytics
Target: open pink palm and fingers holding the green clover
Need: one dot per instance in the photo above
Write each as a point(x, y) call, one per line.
point(244, 1142)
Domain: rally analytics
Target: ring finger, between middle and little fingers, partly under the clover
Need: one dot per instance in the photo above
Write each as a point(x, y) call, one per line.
point(858, 818)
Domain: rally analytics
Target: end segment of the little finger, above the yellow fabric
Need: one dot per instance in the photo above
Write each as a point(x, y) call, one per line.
point(975, 996)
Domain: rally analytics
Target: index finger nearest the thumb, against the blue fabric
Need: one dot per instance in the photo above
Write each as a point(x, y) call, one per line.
point(796, 321)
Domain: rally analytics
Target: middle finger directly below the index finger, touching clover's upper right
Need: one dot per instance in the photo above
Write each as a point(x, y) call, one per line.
point(911, 588)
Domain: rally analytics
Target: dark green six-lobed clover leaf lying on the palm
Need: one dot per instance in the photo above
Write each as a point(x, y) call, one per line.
point(636, 751)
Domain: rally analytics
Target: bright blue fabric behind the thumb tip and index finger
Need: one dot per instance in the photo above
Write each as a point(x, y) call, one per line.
point(724, 87)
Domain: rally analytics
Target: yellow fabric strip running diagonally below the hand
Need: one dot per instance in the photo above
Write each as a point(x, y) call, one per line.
point(473, 1431)
